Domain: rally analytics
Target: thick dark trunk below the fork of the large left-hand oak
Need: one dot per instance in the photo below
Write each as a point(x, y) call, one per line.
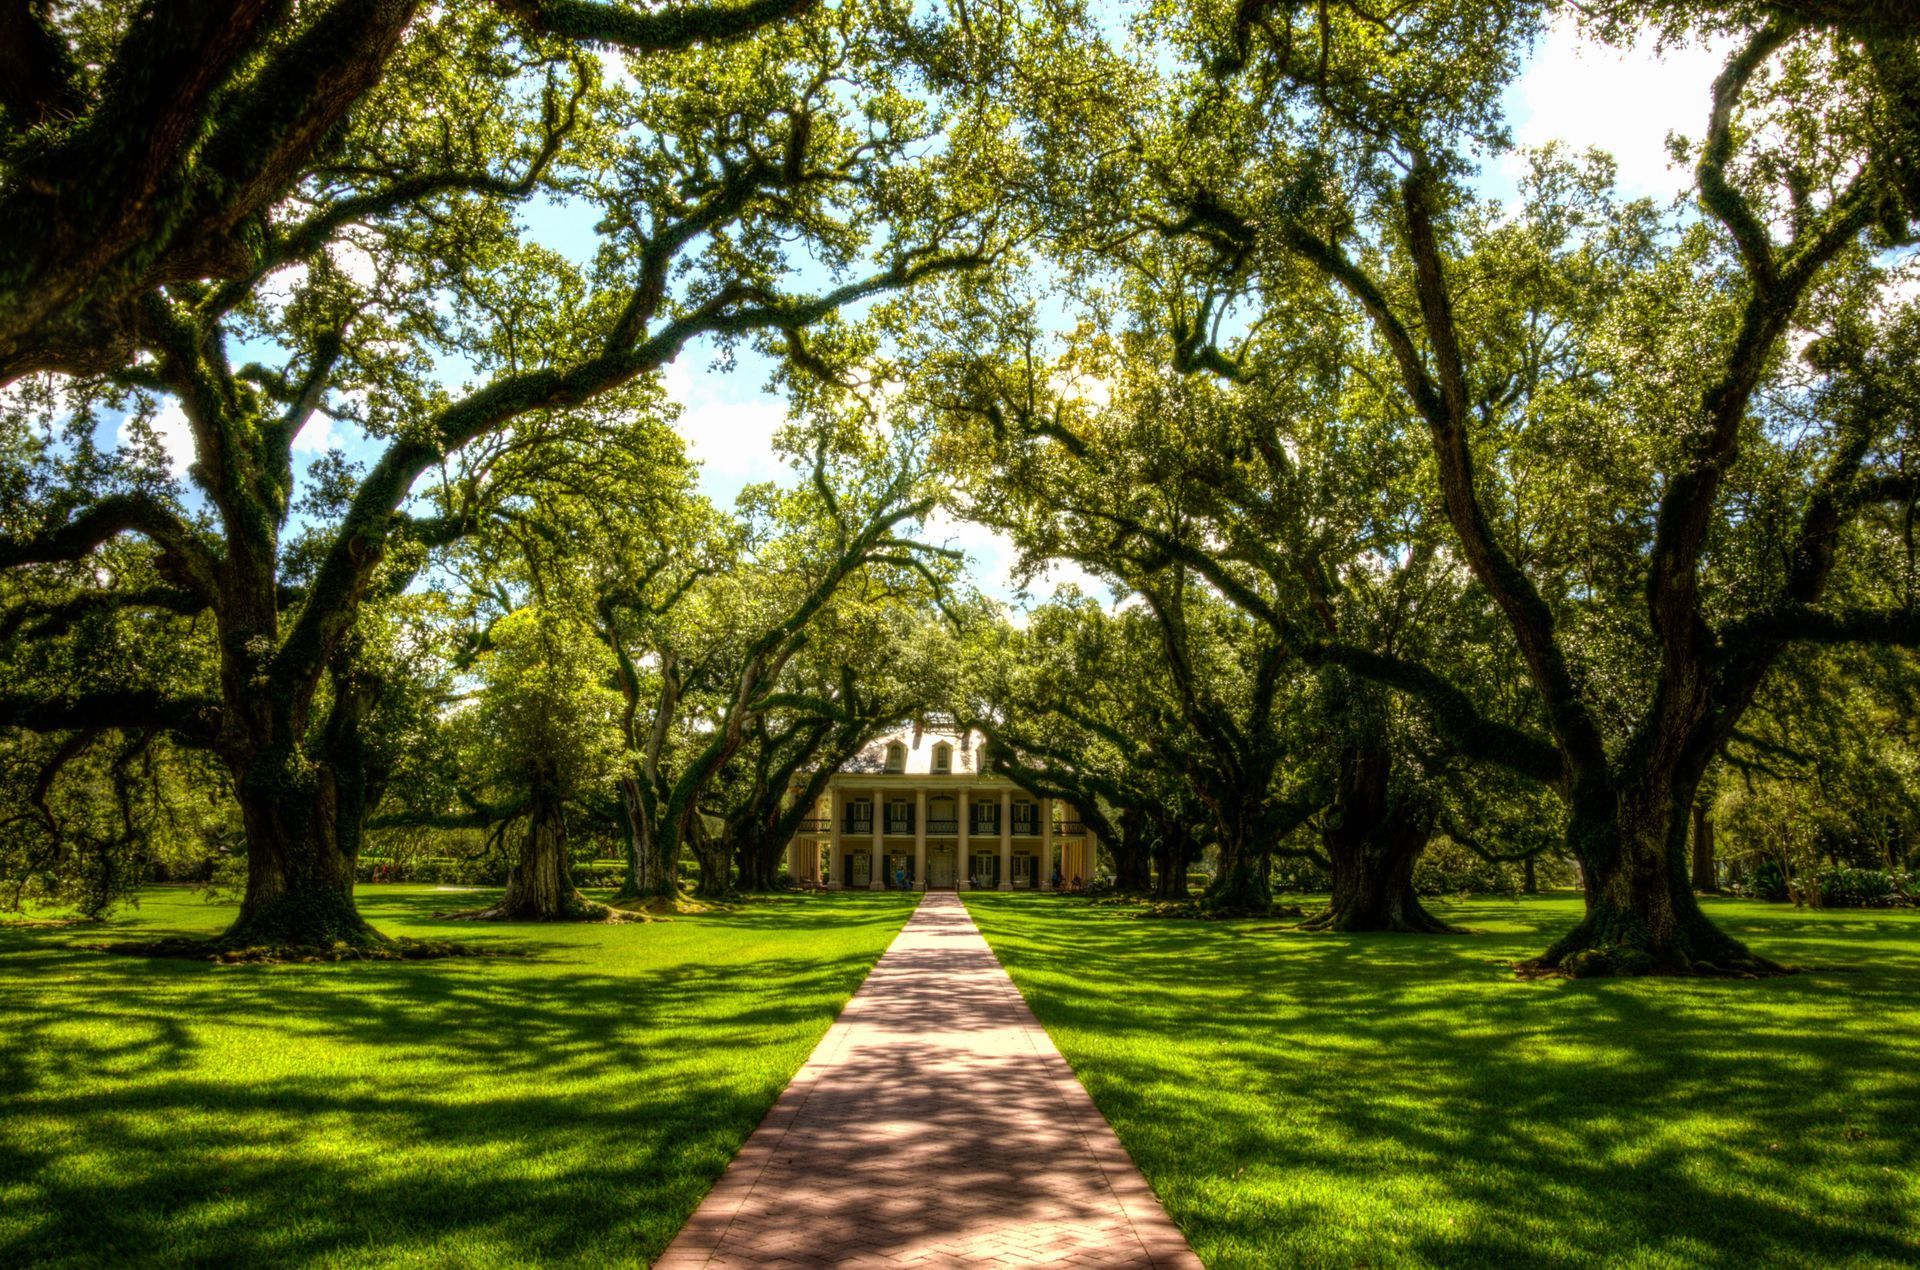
point(300, 881)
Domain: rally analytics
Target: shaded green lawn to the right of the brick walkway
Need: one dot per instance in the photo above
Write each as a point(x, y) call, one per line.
point(1404, 1100)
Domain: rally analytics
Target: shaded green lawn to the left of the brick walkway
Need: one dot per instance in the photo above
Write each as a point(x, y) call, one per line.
point(565, 1108)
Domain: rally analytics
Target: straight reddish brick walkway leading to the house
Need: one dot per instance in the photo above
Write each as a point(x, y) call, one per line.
point(936, 1125)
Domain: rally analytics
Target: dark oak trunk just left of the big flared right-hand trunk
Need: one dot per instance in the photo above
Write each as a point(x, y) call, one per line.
point(1374, 839)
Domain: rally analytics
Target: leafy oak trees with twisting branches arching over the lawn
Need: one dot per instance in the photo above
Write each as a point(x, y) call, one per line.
point(1552, 524)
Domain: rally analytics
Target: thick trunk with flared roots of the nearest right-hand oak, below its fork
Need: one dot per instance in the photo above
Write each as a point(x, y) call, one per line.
point(1641, 910)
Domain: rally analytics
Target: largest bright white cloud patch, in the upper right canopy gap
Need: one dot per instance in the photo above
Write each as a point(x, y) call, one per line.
point(1627, 103)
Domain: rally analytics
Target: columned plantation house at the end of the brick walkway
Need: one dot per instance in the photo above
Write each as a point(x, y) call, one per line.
point(919, 808)
